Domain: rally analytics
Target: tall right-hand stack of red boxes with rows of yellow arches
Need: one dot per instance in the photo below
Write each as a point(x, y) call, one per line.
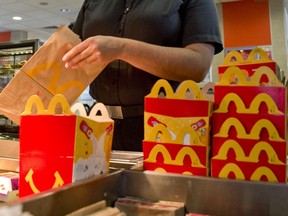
point(249, 127)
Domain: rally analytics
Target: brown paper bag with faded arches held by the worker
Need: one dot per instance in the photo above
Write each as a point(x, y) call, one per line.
point(45, 75)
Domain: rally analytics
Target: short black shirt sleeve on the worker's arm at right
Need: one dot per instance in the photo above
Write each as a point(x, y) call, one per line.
point(201, 23)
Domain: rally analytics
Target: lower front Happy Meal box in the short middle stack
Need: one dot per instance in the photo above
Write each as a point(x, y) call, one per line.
point(184, 155)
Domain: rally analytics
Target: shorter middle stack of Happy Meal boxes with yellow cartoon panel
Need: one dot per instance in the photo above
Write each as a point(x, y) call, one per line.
point(177, 129)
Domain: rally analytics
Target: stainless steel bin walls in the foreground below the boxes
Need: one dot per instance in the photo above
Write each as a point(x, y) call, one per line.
point(200, 194)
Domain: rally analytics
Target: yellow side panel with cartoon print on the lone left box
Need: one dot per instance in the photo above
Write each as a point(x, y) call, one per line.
point(92, 153)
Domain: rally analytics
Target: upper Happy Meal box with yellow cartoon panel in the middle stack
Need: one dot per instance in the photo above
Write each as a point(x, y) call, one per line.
point(186, 107)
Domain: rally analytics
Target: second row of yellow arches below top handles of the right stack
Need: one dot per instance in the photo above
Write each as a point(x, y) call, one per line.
point(255, 131)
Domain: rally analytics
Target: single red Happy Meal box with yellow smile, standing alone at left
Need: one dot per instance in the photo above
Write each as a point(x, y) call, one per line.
point(62, 145)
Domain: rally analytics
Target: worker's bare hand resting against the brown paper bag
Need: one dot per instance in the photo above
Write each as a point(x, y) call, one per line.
point(94, 50)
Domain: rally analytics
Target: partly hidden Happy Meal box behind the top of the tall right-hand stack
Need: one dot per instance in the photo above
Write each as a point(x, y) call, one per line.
point(256, 59)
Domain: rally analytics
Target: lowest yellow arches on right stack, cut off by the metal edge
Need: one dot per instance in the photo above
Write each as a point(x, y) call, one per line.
point(256, 176)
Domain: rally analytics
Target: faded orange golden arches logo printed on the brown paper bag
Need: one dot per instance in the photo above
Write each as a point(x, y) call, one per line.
point(53, 86)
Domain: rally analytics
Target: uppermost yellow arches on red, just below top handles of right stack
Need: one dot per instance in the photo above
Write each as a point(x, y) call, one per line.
point(254, 106)
